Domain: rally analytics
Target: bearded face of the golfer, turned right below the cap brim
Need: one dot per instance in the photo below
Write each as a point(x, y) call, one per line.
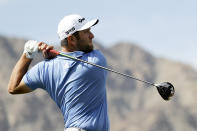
point(84, 43)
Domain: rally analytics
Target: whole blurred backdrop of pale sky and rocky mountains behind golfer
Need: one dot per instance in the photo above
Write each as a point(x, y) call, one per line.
point(153, 40)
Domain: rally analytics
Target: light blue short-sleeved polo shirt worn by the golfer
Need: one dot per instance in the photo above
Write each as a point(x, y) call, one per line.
point(77, 88)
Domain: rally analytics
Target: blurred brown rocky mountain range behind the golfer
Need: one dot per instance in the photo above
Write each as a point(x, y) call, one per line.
point(133, 106)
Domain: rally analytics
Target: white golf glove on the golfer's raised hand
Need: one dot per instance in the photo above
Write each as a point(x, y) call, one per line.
point(31, 49)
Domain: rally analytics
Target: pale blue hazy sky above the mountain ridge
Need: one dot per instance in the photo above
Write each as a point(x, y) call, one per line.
point(166, 28)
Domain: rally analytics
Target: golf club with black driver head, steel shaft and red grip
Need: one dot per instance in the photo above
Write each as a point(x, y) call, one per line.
point(165, 89)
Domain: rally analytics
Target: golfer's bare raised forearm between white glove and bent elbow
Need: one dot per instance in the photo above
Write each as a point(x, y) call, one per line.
point(18, 72)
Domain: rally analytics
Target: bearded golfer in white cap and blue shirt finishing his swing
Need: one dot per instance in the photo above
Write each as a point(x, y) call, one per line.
point(77, 88)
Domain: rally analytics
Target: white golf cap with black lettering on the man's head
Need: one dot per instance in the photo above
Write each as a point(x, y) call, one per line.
point(72, 23)
